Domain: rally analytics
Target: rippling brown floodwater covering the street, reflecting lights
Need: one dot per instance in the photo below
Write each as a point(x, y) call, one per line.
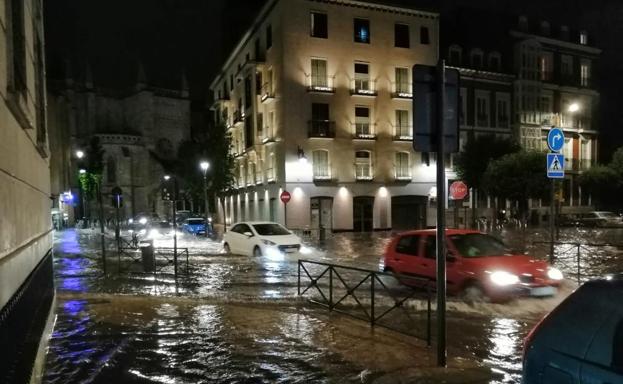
point(234, 319)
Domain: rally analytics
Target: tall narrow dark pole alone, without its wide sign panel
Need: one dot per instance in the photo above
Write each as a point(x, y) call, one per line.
point(441, 217)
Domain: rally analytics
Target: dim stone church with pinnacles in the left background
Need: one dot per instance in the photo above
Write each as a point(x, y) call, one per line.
point(138, 128)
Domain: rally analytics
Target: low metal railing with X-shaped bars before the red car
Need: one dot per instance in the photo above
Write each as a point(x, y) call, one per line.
point(374, 301)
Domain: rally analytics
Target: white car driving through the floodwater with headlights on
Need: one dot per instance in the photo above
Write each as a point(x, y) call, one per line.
point(260, 239)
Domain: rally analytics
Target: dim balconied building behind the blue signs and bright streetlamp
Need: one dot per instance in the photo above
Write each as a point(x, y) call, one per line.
point(555, 85)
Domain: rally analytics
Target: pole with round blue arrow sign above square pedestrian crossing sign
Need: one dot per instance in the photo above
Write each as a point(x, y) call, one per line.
point(555, 170)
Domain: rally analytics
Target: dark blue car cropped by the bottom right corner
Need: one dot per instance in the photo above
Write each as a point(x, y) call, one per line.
point(581, 340)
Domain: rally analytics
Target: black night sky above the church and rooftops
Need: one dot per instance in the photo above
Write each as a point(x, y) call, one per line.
point(195, 36)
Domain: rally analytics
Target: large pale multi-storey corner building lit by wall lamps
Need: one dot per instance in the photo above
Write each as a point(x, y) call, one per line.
point(317, 97)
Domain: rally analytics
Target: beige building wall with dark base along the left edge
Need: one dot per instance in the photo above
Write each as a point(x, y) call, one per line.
point(26, 280)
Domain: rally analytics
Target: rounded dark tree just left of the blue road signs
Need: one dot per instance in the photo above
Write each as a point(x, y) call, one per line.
point(518, 177)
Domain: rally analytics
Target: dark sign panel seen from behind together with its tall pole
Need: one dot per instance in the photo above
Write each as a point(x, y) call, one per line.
point(436, 129)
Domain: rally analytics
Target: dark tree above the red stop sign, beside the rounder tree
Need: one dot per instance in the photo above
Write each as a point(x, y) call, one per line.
point(471, 163)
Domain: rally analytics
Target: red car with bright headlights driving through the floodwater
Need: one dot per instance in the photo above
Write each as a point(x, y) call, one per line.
point(479, 266)
